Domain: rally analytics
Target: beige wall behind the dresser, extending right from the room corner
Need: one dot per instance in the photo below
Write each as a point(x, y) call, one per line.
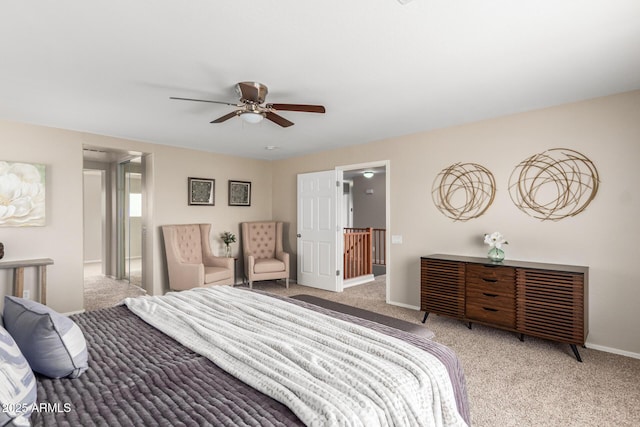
point(603, 237)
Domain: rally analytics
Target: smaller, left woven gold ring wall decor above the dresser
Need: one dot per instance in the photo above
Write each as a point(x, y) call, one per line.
point(463, 191)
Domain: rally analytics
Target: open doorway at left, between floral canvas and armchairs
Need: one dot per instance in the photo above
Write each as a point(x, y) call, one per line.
point(117, 188)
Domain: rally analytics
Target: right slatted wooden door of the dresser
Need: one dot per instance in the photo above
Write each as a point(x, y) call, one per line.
point(550, 304)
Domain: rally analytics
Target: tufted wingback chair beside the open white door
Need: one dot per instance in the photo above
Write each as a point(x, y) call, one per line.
point(264, 258)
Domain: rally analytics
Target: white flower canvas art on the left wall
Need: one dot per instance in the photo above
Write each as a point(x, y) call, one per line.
point(22, 194)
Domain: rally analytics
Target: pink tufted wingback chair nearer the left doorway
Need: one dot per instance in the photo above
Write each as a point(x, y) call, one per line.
point(189, 258)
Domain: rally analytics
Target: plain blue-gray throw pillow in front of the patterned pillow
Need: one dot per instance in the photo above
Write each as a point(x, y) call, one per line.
point(52, 343)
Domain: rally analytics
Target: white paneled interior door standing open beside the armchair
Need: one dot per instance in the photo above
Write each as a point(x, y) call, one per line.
point(319, 248)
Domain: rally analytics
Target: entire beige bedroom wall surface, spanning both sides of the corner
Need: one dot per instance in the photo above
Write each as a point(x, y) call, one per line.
point(607, 130)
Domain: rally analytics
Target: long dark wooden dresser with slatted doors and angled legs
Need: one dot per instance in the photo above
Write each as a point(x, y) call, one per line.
point(548, 301)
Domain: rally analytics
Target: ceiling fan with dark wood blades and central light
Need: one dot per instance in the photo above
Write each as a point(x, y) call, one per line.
point(251, 108)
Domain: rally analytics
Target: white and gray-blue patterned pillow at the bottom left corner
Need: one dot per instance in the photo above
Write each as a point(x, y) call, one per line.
point(18, 392)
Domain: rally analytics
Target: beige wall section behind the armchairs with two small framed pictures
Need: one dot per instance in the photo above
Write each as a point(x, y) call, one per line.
point(171, 169)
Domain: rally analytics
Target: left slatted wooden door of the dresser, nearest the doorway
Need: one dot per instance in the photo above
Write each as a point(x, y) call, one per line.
point(442, 287)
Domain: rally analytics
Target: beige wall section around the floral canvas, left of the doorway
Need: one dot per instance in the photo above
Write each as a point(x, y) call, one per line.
point(61, 238)
